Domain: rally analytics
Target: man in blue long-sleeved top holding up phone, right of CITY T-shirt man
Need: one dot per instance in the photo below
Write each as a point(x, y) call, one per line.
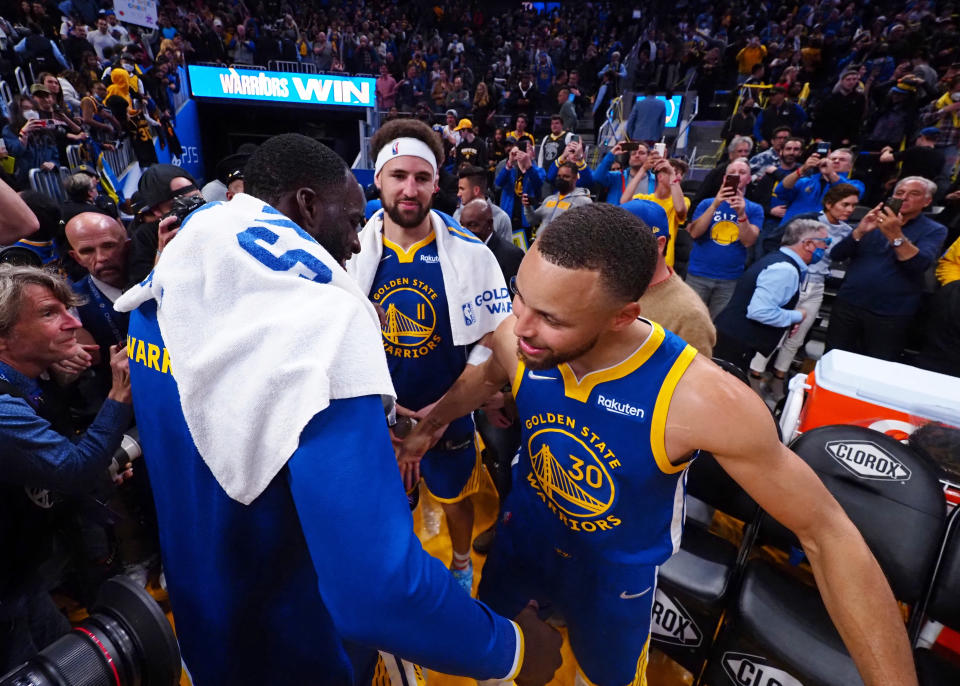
point(803, 190)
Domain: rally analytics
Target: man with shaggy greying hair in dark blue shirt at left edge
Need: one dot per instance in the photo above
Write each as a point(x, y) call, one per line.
point(40, 448)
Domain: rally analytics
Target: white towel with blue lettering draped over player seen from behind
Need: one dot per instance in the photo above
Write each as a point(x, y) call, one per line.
point(263, 328)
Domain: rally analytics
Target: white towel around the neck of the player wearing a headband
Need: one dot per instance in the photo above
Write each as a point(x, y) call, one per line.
point(477, 297)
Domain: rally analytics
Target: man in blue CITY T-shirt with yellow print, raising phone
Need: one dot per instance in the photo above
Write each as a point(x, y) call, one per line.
point(723, 228)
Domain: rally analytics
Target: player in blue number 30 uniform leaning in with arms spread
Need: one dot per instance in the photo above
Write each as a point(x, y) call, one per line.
point(612, 409)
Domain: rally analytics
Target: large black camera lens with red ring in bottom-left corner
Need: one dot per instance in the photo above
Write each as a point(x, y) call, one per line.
point(126, 640)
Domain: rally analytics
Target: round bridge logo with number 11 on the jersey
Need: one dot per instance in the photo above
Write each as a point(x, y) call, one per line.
point(408, 329)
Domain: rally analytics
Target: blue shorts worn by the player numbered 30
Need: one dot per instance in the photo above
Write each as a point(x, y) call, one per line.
point(606, 605)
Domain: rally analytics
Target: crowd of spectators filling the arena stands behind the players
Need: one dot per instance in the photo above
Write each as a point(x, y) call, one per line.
point(841, 128)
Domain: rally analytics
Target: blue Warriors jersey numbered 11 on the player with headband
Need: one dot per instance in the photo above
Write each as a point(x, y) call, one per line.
point(417, 338)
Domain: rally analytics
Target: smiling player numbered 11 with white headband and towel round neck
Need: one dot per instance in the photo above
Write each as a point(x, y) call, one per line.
point(441, 293)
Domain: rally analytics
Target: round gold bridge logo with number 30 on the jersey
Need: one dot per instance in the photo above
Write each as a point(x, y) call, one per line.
point(570, 475)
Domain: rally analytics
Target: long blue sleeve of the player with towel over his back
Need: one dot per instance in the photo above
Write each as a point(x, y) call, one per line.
point(380, 586)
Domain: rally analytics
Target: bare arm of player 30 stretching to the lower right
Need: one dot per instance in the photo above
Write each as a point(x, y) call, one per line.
point(732, 422)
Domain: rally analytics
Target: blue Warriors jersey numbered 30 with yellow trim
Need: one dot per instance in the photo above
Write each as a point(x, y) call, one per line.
point(593, 472)
